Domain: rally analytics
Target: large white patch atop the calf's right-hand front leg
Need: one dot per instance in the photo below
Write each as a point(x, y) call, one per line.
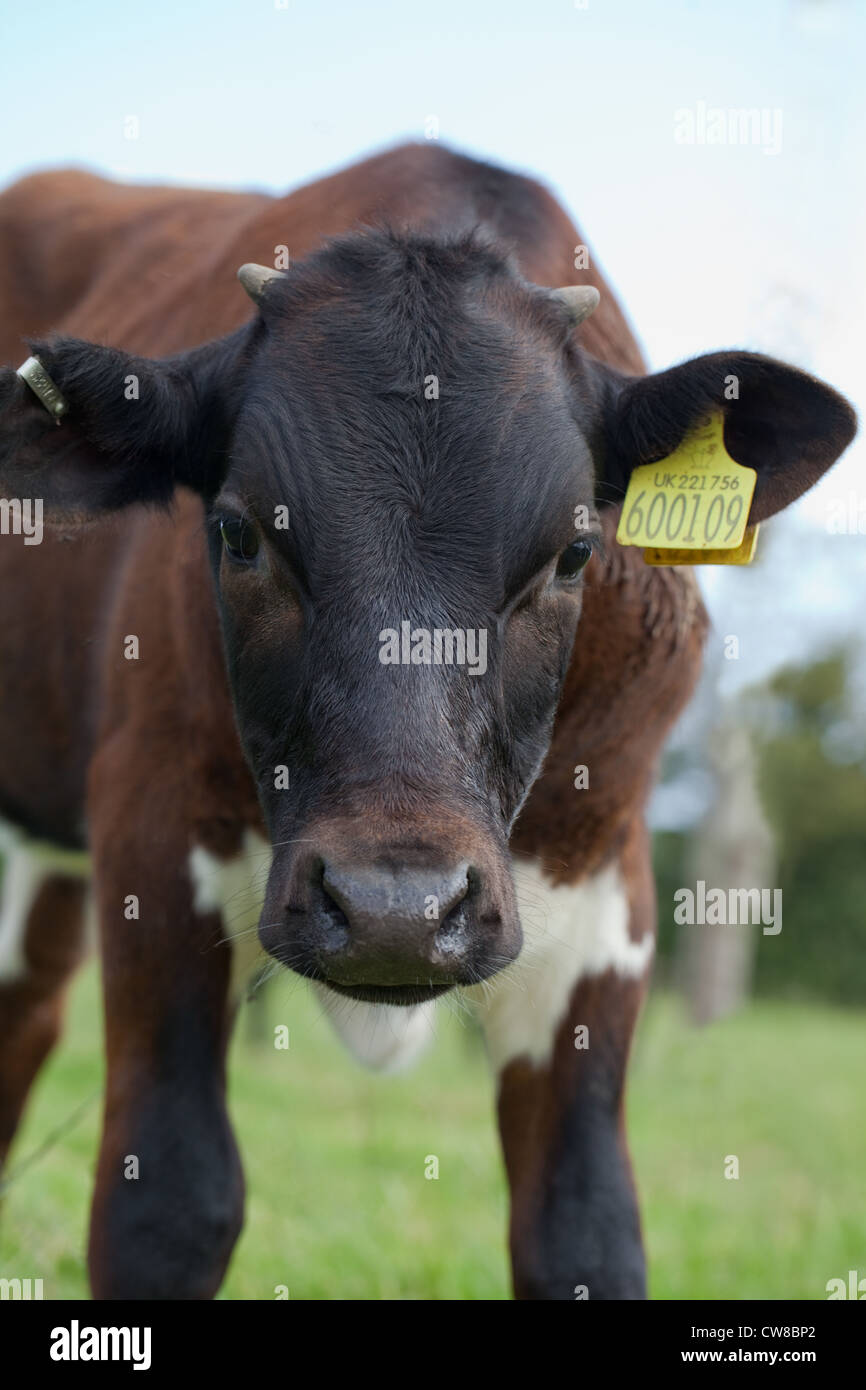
point(571, 932)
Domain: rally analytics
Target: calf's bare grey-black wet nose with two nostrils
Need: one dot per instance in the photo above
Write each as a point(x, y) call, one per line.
point(394, 926)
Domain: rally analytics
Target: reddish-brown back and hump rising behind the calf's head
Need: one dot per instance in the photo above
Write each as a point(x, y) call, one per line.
point(154, 269)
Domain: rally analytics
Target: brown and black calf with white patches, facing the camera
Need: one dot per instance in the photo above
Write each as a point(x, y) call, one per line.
point(412, 423)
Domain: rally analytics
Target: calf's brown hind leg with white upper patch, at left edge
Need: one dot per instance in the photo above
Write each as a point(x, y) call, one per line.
point(41, 945)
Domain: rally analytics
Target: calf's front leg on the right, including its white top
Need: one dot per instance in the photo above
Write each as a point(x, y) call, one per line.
point(559, 1028)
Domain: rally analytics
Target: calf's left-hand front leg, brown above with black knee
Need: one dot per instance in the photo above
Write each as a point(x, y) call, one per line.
point(169, 1202)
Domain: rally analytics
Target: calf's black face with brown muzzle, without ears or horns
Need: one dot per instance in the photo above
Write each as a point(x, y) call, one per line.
point(400, 578)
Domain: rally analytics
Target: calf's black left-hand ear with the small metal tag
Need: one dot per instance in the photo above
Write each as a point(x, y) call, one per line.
point(133, 429)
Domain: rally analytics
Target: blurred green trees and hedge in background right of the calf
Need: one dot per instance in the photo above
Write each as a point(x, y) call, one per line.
point(808, 733)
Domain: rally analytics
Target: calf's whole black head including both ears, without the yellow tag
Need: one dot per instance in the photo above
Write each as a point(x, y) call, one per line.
point(401, 461)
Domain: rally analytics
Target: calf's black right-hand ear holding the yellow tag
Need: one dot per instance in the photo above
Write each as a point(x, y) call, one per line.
point(781, 422)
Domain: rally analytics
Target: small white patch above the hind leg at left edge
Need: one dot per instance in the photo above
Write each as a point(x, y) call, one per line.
point(28, 864)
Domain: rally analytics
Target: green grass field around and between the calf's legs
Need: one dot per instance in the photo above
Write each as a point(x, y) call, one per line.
point(338, 1206)
